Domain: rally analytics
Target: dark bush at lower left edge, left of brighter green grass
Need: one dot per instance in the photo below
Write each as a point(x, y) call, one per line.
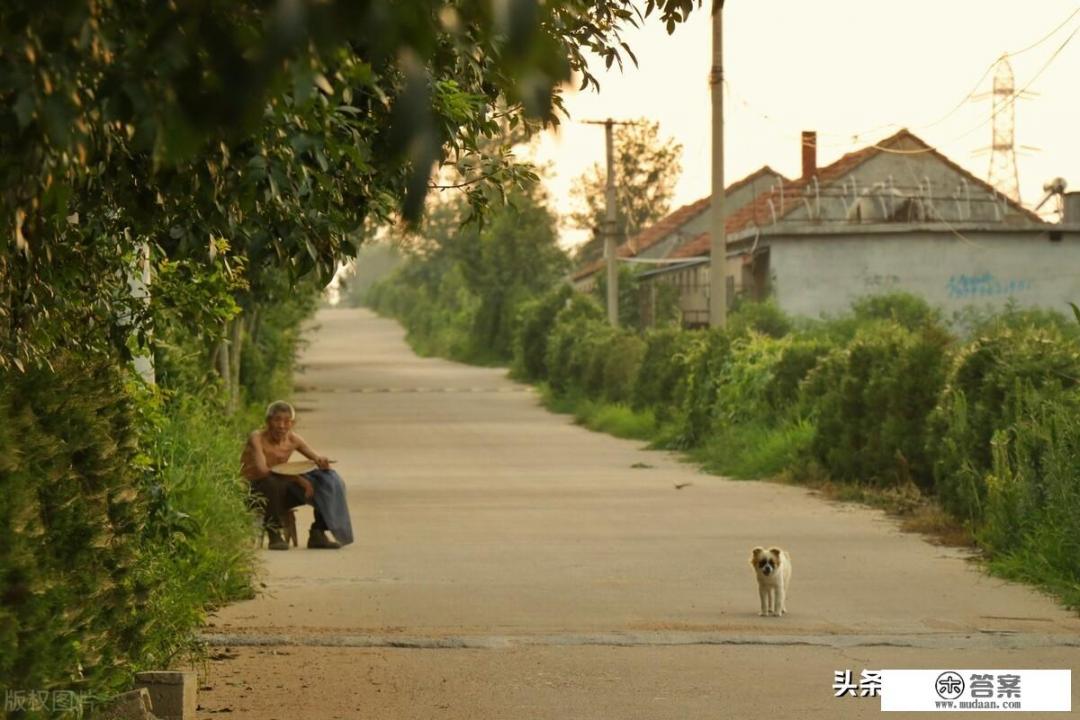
point(73, 613)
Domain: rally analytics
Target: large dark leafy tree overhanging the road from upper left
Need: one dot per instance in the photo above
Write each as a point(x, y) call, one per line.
point(281, 129)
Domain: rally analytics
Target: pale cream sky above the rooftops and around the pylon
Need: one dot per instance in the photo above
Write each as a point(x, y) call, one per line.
point(853, 71)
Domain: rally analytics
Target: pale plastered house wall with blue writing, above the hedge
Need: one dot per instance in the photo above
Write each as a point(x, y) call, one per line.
point(825, 275)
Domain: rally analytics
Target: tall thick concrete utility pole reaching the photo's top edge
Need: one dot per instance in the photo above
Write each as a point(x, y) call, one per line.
point(719, 252)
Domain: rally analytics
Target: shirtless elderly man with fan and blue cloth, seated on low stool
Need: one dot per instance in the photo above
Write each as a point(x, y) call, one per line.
point(273, 446)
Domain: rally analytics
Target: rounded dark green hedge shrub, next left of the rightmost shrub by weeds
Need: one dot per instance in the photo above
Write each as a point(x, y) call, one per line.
point(871, 402)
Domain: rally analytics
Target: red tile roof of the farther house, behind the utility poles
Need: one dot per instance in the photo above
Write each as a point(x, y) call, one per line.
point(682, 226)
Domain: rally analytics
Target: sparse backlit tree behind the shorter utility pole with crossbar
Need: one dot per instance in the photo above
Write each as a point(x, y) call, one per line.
point(646, 170)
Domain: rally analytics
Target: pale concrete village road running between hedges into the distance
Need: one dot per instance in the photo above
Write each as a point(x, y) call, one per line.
point(511, 565)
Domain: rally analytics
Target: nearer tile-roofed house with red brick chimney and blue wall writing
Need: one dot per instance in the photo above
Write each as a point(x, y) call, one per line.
point(895, 215)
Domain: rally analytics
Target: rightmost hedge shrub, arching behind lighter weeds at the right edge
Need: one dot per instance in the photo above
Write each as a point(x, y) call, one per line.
point(990, 376)
